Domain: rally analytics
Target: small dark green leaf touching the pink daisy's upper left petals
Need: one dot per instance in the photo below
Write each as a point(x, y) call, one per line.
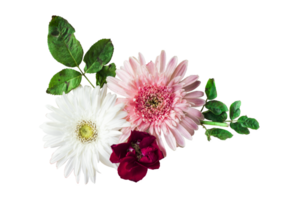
point(107, 70)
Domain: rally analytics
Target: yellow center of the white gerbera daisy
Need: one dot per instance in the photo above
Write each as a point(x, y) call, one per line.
point(86, 131)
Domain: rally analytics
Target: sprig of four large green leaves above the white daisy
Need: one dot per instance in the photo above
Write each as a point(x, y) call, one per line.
point(66, 49)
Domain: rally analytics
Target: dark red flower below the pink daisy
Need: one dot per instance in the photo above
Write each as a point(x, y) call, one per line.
point(140, 154)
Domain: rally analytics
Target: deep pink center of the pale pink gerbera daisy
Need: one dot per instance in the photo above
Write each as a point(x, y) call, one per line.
point(153, 103)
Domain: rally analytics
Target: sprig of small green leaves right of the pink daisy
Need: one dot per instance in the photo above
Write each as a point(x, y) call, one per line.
point(230, 115)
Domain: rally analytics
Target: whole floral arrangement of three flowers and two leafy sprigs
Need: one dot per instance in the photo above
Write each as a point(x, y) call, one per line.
point(160, 108)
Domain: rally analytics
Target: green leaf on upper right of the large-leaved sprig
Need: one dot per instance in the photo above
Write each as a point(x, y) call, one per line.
point(99, 54)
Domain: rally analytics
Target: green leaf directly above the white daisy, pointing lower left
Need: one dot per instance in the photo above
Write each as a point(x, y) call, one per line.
point(65, 80)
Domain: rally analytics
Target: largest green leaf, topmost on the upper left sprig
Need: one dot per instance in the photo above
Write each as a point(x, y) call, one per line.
point(62, 43)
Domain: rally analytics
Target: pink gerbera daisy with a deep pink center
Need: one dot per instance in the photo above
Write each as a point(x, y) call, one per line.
point(159, 99)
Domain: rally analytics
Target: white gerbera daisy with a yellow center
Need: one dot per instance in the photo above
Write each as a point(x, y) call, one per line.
point(81, 128)
